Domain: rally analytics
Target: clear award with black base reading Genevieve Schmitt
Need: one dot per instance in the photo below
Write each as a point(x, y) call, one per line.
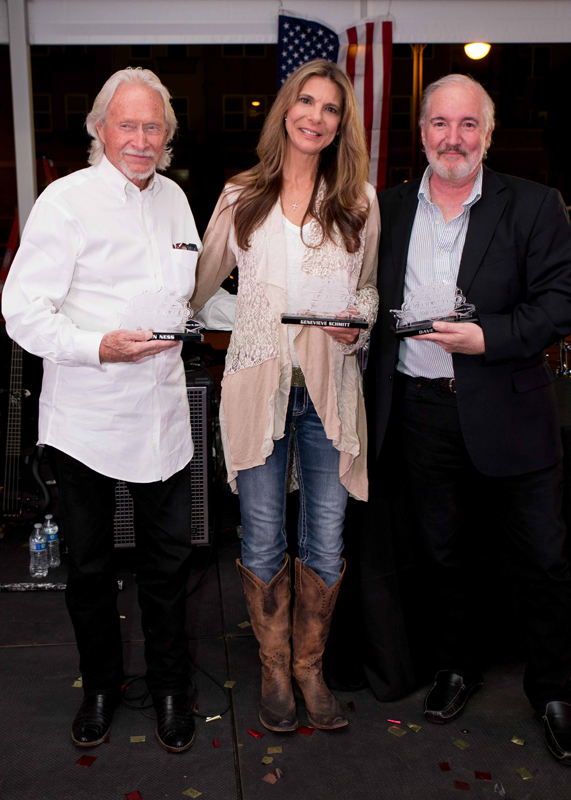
point(324, 302)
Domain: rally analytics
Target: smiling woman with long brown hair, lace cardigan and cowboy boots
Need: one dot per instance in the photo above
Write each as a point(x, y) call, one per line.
point(291, 394)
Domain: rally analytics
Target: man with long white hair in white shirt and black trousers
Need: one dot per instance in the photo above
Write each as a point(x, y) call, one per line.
point(113, 402)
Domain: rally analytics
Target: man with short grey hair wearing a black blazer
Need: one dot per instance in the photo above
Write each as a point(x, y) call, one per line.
point(477, 399)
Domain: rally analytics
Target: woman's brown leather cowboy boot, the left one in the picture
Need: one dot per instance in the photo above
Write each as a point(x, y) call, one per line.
point(269, 609)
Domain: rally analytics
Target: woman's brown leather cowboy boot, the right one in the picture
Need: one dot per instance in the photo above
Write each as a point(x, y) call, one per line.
point(312, 613)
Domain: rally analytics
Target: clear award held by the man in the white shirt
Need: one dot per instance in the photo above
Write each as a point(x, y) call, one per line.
point(164, 313)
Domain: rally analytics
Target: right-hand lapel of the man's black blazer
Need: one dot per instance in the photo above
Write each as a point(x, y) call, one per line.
point(484, 217)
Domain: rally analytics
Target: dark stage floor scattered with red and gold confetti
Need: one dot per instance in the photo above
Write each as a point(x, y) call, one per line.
point(39, 665)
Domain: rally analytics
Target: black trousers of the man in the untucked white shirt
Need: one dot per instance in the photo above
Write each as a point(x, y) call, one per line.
point(162, 537)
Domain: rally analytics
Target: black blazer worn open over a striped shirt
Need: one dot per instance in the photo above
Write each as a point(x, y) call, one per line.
point(516, 269)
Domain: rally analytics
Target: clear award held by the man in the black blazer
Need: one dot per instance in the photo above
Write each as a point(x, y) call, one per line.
point(441, 300)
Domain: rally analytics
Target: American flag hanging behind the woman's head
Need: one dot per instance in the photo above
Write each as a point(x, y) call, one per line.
point(364, 52)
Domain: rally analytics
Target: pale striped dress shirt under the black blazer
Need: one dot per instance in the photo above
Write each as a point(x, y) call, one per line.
point(434, 254)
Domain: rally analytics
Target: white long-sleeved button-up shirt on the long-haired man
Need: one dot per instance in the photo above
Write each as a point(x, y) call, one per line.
point(93, 242)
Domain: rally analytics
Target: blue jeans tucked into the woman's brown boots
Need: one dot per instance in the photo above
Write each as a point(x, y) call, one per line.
point(262, 492)
